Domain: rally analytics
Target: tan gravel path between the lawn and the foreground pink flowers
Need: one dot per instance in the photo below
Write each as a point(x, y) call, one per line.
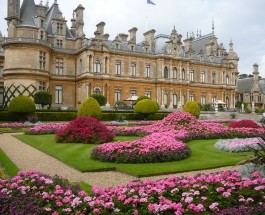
point(28, 158)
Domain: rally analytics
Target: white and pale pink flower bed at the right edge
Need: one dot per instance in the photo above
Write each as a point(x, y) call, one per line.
point(239, 145)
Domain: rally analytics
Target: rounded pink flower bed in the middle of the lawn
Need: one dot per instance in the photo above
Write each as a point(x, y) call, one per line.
point(156, 147)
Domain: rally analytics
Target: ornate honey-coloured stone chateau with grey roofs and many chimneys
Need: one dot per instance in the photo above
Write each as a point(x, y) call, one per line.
point(42, 53)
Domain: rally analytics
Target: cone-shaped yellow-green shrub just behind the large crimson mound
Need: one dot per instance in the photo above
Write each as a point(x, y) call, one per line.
point(90, 107)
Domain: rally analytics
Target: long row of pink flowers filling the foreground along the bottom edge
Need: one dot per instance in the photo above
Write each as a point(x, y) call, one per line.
point(219, 193)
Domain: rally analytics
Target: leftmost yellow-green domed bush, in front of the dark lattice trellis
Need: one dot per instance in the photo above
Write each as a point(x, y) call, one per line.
point(22, 104)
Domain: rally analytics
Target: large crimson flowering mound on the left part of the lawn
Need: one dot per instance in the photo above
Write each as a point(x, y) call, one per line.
point(84, 130)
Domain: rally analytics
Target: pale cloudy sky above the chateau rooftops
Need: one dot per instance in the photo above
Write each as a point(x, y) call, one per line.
point(242, 21)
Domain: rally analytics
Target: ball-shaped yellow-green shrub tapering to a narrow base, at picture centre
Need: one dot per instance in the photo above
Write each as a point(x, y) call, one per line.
point(146, 107)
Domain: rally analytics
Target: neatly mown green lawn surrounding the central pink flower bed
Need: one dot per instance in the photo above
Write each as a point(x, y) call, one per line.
point(204, 156)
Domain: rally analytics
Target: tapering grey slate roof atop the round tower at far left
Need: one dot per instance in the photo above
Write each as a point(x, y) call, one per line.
point(28, 13)
